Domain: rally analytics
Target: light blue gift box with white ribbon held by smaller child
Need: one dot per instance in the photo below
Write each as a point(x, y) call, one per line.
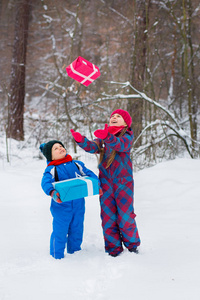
point(76, 188)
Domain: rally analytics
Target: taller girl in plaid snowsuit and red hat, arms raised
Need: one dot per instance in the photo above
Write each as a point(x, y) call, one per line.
point(115, 173)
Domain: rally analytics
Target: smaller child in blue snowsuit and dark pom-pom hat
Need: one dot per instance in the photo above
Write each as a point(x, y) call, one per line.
point(68, 217)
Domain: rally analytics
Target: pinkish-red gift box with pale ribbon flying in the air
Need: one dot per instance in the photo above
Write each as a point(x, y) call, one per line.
point(83, 71)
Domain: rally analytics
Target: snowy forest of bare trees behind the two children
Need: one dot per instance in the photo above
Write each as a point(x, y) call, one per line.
point(148, 53)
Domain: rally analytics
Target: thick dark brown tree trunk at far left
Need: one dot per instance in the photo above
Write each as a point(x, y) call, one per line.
point(17, 84)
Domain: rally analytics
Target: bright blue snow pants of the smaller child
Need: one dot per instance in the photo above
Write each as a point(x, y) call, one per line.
point(68, 218)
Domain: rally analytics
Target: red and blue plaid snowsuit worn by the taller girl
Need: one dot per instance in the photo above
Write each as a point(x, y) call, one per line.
point(117, 212)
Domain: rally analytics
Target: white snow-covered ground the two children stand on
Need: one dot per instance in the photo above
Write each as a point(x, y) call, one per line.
point(167, 204)
